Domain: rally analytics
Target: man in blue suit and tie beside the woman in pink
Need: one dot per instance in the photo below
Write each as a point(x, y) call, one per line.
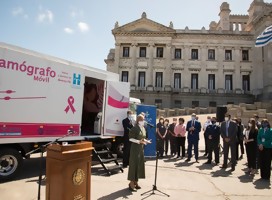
point(193, 127)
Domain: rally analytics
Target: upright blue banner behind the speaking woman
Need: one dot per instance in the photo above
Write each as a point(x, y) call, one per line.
point(150, 118)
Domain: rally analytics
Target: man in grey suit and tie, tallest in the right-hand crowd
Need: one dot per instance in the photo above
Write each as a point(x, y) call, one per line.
point(229, 134)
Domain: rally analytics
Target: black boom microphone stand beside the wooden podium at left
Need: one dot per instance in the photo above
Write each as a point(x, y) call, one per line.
point(42, 149)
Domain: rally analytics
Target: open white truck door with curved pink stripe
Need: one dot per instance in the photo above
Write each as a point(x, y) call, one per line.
point(115, 107)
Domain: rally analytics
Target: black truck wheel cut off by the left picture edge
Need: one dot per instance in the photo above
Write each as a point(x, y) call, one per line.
point(10, 163)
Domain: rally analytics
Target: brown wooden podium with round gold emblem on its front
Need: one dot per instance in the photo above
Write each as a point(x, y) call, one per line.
point(68, 171)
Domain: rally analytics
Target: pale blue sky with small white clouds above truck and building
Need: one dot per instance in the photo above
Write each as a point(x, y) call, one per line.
point(80, 30)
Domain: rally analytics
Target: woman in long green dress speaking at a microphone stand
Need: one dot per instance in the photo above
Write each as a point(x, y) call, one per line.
point(136, 169)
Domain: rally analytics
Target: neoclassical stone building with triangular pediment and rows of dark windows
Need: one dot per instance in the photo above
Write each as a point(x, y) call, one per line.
point(176, 68)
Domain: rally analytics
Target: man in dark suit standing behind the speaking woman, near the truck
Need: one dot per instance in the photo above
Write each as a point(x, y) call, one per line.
point(127, 124)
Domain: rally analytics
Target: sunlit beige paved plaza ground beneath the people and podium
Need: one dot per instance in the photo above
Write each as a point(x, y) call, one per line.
point(177, 178)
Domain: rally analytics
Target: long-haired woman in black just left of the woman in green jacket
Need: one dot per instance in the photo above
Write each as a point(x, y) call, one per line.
point(250, 139)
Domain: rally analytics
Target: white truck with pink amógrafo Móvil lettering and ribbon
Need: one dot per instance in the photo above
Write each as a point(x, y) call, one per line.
point(42, 98)
